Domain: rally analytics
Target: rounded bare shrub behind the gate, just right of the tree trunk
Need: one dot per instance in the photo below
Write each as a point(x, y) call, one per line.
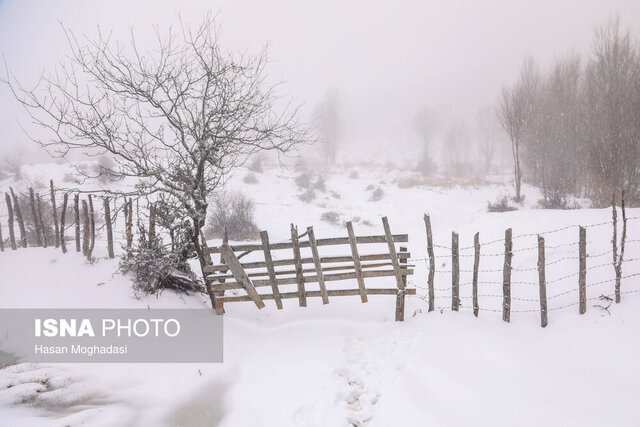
point(233, 212)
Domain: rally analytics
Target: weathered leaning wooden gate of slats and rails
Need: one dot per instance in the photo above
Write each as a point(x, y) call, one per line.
point(314, 276)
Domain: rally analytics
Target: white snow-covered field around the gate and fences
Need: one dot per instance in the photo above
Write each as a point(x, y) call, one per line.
point(349, 363)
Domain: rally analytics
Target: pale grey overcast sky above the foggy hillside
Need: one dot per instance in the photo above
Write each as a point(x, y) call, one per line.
point(387, 58)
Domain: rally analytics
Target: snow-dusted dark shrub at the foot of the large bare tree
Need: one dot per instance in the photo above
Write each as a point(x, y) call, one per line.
point(154, 268)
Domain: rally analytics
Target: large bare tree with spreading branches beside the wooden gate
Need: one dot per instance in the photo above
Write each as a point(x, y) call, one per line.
point(177, 117)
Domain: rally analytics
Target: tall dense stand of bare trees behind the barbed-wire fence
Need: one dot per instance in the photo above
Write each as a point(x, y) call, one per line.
point(575, 129)
